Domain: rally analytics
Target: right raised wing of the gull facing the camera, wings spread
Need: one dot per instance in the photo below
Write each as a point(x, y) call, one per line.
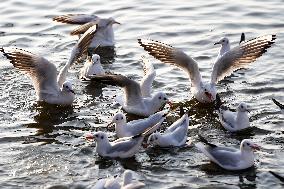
point(241, 56)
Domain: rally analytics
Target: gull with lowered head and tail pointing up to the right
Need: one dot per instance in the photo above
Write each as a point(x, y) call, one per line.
point(175, 135)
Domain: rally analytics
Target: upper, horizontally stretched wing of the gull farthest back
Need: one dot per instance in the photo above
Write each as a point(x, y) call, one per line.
point(75, 18)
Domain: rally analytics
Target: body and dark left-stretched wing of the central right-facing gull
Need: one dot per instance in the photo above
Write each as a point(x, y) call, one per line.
point(134, 102)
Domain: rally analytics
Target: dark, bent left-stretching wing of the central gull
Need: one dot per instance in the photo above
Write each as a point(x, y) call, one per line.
point(131, 88)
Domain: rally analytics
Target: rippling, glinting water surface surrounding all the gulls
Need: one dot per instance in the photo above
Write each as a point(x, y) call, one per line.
point(43, 146)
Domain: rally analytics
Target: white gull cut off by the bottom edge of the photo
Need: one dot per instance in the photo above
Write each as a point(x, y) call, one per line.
point(113, 183)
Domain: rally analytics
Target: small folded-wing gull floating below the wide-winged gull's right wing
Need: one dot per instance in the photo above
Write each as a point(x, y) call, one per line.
point(235, 121)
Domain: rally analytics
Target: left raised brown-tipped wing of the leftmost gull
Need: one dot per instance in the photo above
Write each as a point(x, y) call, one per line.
point(41, 71)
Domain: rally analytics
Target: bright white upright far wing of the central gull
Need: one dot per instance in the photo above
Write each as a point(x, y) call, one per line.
point(149, 76)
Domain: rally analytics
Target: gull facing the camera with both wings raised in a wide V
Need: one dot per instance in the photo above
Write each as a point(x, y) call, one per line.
point(236, 58)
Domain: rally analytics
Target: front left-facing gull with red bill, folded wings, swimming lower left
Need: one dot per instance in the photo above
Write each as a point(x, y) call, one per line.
point(125, 147)
